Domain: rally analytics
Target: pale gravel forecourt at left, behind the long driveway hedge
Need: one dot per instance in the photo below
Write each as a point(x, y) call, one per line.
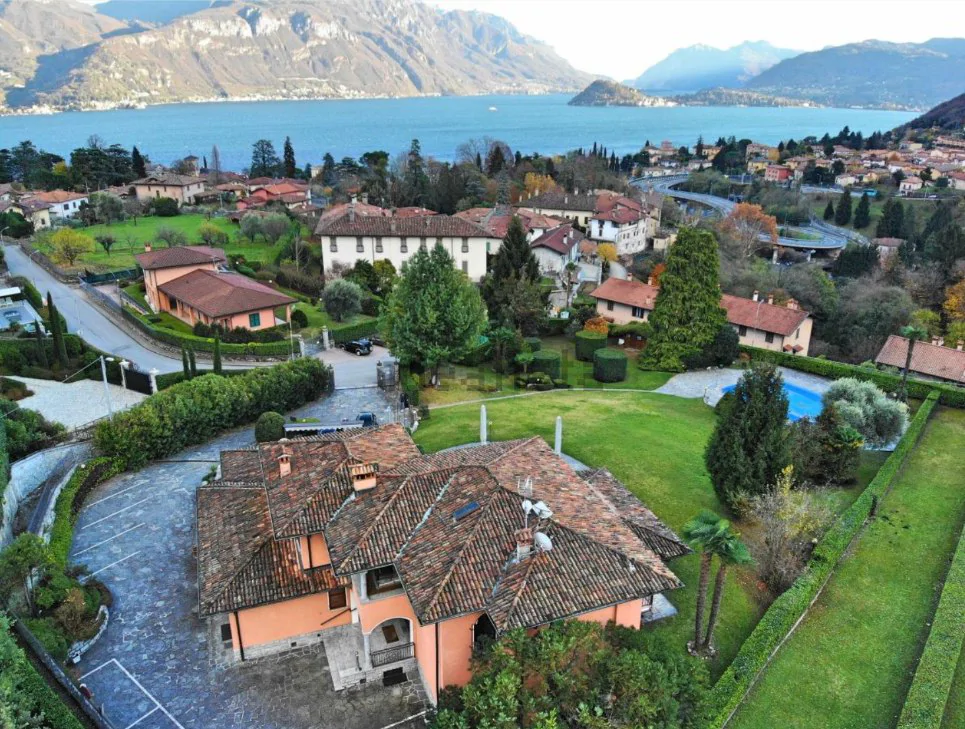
point(76, 403)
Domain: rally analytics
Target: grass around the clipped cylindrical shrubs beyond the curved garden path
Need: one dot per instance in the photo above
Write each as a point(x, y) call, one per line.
point(460, 384)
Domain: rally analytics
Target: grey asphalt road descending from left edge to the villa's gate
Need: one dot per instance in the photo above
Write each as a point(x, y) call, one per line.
point(89, 322)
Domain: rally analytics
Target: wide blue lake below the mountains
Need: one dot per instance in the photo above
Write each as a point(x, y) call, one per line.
point(542, 124)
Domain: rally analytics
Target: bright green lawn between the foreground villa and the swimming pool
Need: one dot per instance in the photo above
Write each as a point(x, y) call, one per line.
point(655, 445)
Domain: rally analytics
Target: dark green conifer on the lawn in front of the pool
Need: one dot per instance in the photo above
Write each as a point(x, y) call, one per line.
point(749, 446)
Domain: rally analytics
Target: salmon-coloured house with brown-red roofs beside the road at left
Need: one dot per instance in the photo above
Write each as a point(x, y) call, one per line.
point(187, 282)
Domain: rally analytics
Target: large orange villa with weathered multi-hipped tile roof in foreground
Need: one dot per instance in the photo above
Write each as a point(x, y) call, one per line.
point(401, 562)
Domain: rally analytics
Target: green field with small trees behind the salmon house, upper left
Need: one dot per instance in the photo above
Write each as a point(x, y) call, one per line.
point(131, 239)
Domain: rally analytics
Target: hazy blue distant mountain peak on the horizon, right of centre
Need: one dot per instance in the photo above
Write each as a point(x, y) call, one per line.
point(699, 67)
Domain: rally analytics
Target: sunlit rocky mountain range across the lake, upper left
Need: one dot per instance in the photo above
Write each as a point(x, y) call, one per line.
point(63, 54)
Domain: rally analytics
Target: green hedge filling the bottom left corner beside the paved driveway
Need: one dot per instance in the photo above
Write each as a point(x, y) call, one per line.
point(25, 697)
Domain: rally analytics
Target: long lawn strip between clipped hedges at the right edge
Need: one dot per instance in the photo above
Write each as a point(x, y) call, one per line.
point(850, 663)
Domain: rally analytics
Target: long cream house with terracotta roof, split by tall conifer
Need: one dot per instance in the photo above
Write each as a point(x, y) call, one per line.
point(758, 323)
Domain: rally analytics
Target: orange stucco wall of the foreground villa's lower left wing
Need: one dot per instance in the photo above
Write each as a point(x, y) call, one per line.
point(280, 620)
